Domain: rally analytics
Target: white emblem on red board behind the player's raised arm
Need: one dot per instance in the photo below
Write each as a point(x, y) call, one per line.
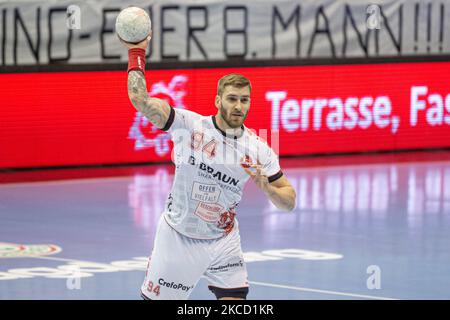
point(143, 132)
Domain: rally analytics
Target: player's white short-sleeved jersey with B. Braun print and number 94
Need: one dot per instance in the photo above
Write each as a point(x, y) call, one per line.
point(209, 176)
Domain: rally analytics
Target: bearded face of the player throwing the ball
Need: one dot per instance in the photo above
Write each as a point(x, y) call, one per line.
point(234, 105)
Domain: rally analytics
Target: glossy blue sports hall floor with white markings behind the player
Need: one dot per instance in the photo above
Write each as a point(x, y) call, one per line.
point(365, 227)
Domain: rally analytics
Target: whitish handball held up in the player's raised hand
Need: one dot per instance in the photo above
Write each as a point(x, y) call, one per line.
point(133, 24)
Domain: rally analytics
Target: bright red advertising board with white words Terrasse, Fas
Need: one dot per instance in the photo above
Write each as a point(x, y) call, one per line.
point(82, 118)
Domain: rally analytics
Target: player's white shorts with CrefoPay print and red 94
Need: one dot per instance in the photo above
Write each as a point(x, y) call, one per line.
point(178, 262)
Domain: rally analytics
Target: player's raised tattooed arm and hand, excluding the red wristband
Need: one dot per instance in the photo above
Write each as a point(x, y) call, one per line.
point(154, 109)
